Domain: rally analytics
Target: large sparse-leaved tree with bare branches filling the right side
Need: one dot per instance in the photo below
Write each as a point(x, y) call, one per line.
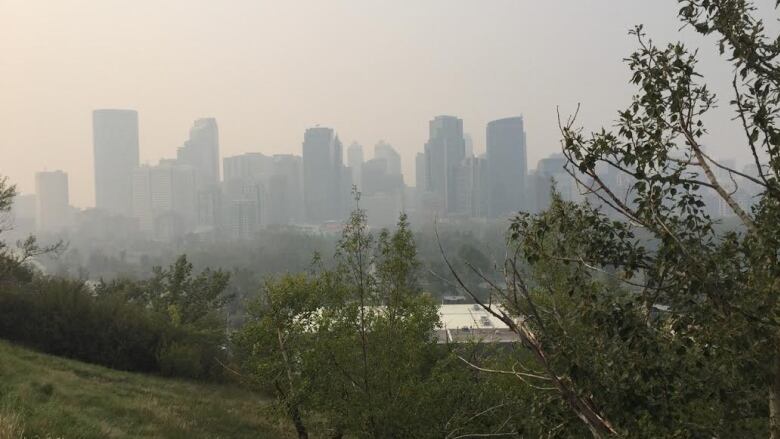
point(660, 299)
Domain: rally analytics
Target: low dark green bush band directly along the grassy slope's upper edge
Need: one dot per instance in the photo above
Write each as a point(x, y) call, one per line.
point(63, 317)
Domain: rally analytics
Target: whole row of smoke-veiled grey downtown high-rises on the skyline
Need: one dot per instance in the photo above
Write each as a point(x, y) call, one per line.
point(199, 194)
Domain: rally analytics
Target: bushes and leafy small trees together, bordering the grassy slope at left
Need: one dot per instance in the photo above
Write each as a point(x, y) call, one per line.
point(171, 324)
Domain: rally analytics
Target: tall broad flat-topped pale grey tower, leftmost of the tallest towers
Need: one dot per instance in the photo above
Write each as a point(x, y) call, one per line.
point(115, 139)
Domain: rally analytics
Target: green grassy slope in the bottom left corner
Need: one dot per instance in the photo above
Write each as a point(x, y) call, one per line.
point(42, 396)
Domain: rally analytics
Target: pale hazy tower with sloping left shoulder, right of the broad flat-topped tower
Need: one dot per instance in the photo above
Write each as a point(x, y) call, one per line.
point(201, 151)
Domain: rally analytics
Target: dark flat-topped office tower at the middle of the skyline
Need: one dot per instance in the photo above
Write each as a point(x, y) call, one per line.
point(323, 175)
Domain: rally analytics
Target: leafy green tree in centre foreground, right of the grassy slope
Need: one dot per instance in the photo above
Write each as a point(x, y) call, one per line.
point(351, 351)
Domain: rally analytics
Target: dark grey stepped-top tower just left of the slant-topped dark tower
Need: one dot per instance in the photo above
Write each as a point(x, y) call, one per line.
point(444, 150)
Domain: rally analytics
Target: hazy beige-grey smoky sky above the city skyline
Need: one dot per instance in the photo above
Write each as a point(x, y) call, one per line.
point(371, 69)
